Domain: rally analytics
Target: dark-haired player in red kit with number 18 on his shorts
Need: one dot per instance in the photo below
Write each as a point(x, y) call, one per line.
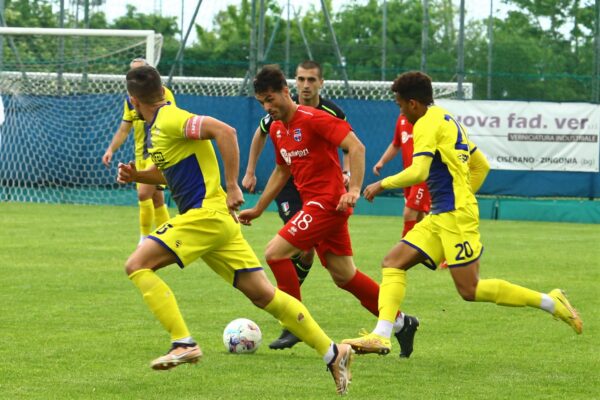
point(306, 142)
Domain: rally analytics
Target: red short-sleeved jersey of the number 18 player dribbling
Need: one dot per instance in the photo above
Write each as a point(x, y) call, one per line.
point(308, 145)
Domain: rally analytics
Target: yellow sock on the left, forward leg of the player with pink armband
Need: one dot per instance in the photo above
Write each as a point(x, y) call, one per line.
point(161, 301)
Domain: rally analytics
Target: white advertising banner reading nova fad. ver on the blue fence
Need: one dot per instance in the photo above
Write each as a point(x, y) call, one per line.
point(535, 136)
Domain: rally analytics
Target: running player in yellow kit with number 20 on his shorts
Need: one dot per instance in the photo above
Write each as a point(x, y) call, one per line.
point(442, 152)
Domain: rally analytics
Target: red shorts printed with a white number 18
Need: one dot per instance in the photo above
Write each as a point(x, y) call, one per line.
point(325, 230)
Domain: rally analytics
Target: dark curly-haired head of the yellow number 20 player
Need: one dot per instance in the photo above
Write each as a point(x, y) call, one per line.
point(414, 94)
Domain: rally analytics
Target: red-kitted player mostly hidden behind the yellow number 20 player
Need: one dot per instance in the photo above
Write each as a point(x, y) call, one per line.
point(417, 201)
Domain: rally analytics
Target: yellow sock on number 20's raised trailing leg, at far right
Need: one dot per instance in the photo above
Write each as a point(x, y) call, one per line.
point(505, 293)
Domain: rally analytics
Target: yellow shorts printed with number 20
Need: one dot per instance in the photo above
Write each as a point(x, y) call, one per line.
point(452, 236)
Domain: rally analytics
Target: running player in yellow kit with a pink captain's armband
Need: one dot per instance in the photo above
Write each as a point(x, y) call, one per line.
point(206, 226)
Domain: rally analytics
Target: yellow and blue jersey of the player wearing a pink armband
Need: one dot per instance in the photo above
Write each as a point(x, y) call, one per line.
point(189, 166)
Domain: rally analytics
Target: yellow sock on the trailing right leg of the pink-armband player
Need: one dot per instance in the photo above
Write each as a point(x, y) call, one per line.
point(295, 317)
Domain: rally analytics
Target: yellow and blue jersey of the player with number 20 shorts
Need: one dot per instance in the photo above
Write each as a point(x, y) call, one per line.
point(438, 135)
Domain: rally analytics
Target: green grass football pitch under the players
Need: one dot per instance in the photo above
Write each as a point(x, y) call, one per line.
point(73, 327)
